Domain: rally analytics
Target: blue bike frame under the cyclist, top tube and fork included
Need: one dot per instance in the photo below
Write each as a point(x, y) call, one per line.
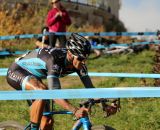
point(82, 122)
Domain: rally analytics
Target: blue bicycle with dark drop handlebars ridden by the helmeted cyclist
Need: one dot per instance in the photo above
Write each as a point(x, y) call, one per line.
point(109, 106)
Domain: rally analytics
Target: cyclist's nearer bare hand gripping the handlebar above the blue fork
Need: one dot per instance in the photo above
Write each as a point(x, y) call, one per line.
point(81, 112)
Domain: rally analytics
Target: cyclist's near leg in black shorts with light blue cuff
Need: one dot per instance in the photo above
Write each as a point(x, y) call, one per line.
point(20, 79)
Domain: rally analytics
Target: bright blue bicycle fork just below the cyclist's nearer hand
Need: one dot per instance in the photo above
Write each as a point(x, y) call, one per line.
point(82, 122)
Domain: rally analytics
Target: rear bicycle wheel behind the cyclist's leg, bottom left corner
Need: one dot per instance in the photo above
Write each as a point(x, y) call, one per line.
point(11, 125)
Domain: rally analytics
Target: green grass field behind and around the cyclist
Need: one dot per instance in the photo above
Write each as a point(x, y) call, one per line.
point(136, 113)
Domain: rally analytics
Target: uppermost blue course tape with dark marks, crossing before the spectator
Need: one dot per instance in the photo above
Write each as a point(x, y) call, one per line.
point(83, 34)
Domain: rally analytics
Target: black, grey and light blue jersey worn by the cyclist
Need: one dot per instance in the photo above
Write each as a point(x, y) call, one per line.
point(43, 63)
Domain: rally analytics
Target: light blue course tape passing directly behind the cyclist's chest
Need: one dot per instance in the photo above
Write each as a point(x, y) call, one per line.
point(3, 72)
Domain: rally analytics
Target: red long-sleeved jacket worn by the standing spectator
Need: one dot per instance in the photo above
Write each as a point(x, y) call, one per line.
point(57, 24)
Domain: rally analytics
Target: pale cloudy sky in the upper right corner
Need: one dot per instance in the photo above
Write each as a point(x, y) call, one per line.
point(140, 15)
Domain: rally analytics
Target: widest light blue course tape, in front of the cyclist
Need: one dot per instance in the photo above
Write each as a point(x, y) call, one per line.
point(125, 92)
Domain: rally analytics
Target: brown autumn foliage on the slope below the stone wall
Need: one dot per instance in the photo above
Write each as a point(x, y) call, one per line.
point(14, 19)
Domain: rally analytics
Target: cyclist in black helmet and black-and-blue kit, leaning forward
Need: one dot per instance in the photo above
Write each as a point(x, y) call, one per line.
point(27, 72)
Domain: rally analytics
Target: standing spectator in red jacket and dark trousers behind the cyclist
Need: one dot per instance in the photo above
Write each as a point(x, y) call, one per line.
point(57, 21)
